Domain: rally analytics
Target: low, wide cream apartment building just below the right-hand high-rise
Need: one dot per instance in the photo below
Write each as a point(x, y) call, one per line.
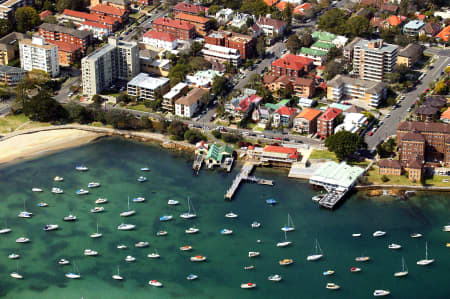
point(344, 87)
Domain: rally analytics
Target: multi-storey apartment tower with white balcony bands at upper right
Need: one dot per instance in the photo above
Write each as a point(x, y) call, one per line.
point(374, 58)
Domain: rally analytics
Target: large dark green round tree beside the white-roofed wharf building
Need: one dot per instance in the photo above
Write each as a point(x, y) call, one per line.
point(344, 143)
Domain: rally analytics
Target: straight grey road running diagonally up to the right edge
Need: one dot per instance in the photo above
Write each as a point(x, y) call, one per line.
point(389, 126)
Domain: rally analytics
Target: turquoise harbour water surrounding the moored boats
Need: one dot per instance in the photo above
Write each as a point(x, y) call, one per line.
point(115, 164)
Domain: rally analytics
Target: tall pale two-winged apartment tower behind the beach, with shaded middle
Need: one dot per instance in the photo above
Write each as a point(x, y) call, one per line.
point(117, 60)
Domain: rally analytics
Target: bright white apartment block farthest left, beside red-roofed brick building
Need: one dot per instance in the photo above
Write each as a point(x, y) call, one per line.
point(36, 54)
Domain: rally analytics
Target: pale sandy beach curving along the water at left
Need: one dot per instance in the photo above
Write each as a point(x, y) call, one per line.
point(39, 143)
